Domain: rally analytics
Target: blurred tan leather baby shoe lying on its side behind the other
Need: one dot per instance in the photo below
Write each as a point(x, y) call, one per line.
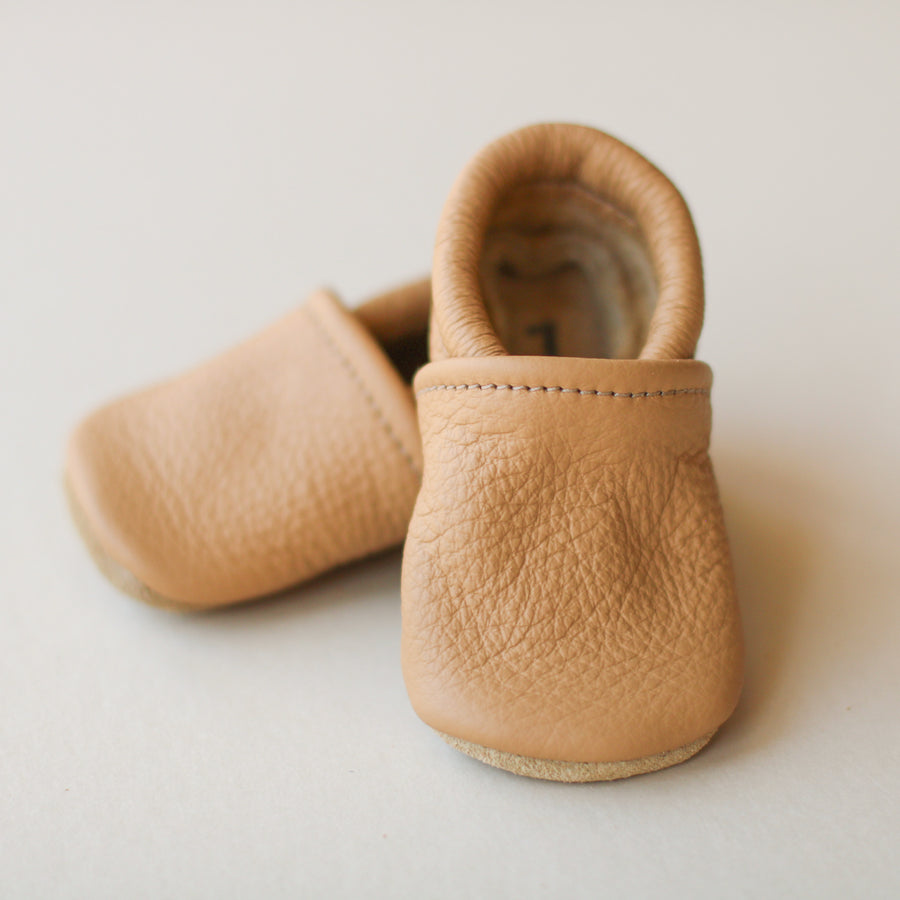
point(291, 454)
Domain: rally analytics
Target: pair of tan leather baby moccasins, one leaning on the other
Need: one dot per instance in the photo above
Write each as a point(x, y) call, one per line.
point(531, 422)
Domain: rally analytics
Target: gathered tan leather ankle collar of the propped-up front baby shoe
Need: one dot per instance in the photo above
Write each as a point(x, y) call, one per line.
point(589, 159)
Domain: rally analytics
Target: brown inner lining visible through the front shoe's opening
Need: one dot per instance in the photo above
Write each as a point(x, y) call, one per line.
point(564, 273)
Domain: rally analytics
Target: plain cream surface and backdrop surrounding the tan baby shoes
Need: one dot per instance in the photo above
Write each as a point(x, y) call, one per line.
point(173, 176)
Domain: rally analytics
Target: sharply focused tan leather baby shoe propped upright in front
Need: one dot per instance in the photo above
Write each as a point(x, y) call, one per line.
point(568, 600)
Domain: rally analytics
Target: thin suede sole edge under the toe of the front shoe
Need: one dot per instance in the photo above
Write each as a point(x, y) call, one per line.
point(575, 772)
